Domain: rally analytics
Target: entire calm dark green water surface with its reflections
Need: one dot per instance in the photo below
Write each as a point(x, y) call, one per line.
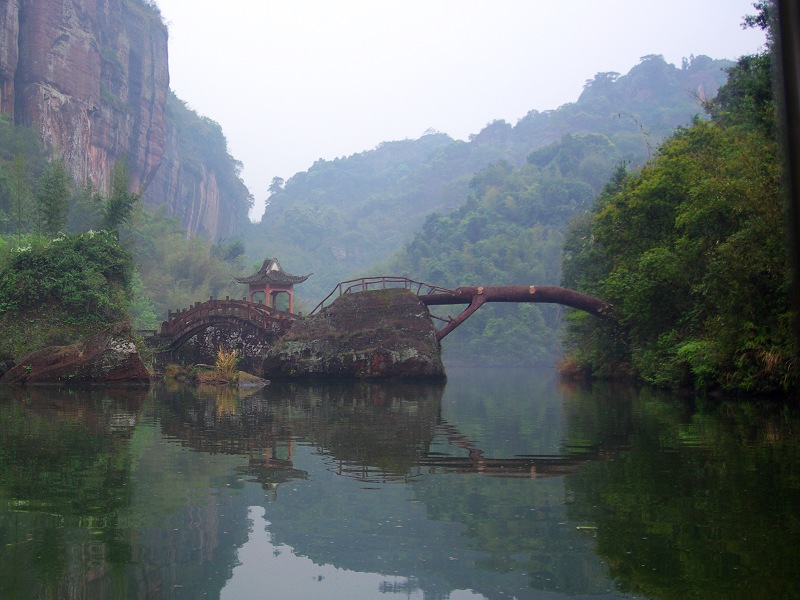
point(499, 484)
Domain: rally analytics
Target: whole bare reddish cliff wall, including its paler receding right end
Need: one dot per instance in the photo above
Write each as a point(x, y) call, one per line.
point(92, 76)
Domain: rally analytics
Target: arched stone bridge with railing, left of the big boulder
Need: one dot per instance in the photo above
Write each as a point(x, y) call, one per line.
point(182, 325)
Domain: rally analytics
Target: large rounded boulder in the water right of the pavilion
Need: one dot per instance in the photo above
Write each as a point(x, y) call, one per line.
point(385, 334)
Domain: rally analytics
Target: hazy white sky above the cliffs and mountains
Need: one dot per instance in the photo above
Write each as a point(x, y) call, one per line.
point(293, 81)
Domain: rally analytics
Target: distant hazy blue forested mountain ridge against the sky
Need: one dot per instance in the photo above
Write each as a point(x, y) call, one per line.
point(341, 216)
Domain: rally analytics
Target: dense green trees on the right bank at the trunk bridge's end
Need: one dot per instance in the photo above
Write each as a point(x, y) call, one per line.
point(690, 250)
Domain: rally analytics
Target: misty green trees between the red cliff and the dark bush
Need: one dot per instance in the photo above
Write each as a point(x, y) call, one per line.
point(40, 202)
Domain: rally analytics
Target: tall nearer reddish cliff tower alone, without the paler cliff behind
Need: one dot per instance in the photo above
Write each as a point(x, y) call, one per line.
point(92, 76)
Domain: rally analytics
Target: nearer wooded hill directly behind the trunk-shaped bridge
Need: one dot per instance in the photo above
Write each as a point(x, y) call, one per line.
point(510, 232)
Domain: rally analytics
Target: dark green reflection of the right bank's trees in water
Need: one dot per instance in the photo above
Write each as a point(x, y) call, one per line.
point(704, 502)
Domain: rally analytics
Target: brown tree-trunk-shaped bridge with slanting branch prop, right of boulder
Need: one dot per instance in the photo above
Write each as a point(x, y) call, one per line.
point(477, 296)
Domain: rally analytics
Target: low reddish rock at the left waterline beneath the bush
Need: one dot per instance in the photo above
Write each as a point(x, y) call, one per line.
point(110, 357)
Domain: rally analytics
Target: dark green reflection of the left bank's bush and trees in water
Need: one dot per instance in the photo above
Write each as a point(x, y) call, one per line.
point(64, 466)
